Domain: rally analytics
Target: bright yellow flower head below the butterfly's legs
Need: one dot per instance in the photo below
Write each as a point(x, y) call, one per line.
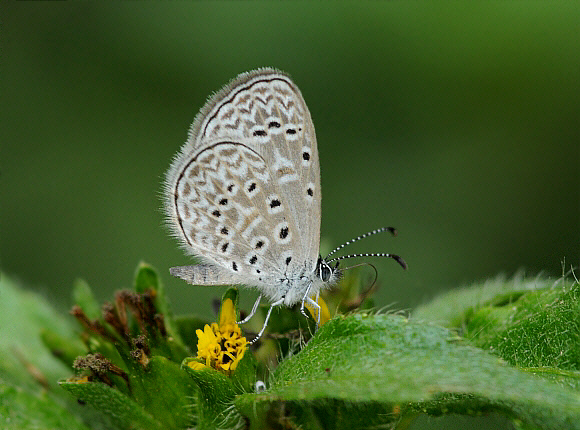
point(222, 346)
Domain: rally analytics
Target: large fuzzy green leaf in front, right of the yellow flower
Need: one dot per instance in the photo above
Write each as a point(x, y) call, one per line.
point(394, 361)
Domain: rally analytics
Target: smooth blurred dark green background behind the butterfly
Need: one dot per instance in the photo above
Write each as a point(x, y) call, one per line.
point(456, 122)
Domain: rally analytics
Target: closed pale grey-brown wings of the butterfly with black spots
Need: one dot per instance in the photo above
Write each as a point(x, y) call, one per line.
point(244, 192)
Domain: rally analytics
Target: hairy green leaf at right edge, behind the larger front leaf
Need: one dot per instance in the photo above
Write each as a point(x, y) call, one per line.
point(534, 325)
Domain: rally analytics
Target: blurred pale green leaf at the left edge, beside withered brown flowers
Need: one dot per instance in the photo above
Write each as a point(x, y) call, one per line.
point(29, 394)
